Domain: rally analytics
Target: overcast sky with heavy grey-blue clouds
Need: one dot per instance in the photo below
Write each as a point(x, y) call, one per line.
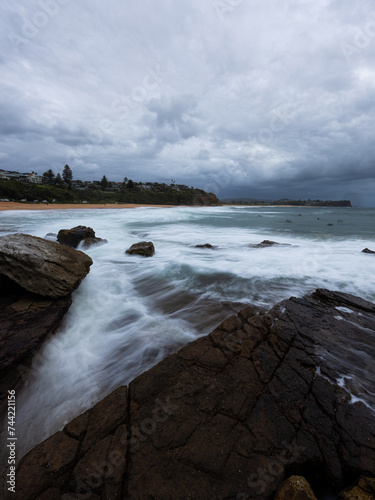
point(246, 98)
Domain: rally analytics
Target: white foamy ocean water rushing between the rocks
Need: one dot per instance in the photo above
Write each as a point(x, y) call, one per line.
point(130, 312)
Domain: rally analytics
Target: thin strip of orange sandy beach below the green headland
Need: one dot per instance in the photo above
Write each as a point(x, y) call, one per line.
point(10, 205)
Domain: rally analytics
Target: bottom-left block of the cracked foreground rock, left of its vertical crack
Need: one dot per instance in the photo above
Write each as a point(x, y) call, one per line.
point(98, 468)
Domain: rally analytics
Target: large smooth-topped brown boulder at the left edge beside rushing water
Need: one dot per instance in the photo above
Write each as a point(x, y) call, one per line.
point(41, 266)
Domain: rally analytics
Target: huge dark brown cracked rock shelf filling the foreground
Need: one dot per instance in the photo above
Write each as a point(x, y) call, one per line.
point(230, 415)
